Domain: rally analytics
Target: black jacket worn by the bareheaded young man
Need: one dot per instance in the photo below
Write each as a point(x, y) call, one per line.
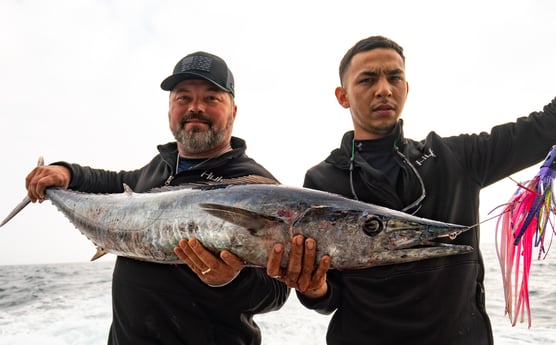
point(434, 301)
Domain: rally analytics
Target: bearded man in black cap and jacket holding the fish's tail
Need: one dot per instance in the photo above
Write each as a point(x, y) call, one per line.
point(210, 299)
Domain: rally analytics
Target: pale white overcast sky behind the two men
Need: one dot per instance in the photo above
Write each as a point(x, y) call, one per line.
point(80, 82)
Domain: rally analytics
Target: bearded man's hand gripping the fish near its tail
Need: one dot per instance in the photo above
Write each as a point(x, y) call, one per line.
point(43, 177)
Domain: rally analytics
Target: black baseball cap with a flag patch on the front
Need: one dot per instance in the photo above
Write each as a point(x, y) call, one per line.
point(201, 65)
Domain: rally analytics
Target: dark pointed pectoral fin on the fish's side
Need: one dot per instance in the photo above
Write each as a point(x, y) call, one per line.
point(250, 220)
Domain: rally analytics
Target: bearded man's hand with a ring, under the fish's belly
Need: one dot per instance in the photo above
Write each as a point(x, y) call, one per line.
point(214, 271)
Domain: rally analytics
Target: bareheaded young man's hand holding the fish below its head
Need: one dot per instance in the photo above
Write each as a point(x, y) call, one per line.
point(300, 273)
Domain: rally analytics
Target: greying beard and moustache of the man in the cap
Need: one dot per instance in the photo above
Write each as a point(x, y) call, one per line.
point(195, 141)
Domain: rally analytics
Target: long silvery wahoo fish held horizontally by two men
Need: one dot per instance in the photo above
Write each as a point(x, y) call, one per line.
point(248, 219)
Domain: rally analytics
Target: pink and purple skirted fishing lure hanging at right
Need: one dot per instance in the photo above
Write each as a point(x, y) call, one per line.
point(527, 222)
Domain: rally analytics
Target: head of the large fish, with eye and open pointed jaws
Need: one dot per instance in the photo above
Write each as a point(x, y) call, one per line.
point(360, 238)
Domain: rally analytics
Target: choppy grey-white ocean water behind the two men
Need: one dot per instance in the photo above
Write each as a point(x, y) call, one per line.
point(71, 304)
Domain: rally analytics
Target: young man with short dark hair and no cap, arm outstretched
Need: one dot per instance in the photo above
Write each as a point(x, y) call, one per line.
point(436, 301)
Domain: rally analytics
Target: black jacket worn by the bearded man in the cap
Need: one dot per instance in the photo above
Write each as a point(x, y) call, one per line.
point(168, 304)
